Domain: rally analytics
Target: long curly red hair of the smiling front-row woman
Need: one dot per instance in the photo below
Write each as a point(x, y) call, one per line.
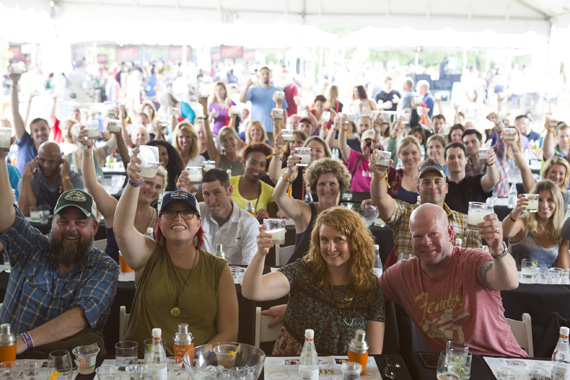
point(360, 243)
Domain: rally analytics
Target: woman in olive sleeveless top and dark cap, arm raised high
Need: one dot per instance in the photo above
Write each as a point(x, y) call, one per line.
point(176, 280)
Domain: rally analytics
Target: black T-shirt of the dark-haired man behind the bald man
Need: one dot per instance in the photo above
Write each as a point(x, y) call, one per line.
point(469, 189)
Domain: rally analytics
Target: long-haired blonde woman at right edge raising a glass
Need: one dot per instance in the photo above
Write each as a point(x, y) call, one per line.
point(536, 235)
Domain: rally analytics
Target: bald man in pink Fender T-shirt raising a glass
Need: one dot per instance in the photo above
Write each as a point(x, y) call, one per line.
point(452, 293)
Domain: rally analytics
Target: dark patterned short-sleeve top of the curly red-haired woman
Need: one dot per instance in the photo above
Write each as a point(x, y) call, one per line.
point(311, 307)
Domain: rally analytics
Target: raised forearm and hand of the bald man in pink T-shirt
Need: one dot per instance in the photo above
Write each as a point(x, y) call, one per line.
point(501, 272)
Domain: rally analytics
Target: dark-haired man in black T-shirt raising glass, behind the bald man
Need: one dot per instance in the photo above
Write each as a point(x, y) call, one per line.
point(463, 189)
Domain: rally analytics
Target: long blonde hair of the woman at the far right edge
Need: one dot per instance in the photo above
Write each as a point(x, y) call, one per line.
point(556, 220)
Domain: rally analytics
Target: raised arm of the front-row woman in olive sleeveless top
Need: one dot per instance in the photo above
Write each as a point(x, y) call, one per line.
point(135, 247)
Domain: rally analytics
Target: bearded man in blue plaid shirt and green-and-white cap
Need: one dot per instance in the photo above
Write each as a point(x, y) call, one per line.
point(60, 289)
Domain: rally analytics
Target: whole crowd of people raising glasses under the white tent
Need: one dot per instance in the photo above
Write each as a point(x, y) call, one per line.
point(61, 288)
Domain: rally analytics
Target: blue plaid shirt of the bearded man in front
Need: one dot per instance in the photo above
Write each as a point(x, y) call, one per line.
point(37, 292)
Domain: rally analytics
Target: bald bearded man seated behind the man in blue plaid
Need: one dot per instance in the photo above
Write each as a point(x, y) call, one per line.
point(45, 178)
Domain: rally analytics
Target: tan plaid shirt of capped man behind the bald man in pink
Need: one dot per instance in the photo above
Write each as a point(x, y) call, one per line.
point(400, 225)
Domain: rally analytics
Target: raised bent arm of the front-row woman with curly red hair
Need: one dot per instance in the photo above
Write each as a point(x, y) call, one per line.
point(256, 286)
